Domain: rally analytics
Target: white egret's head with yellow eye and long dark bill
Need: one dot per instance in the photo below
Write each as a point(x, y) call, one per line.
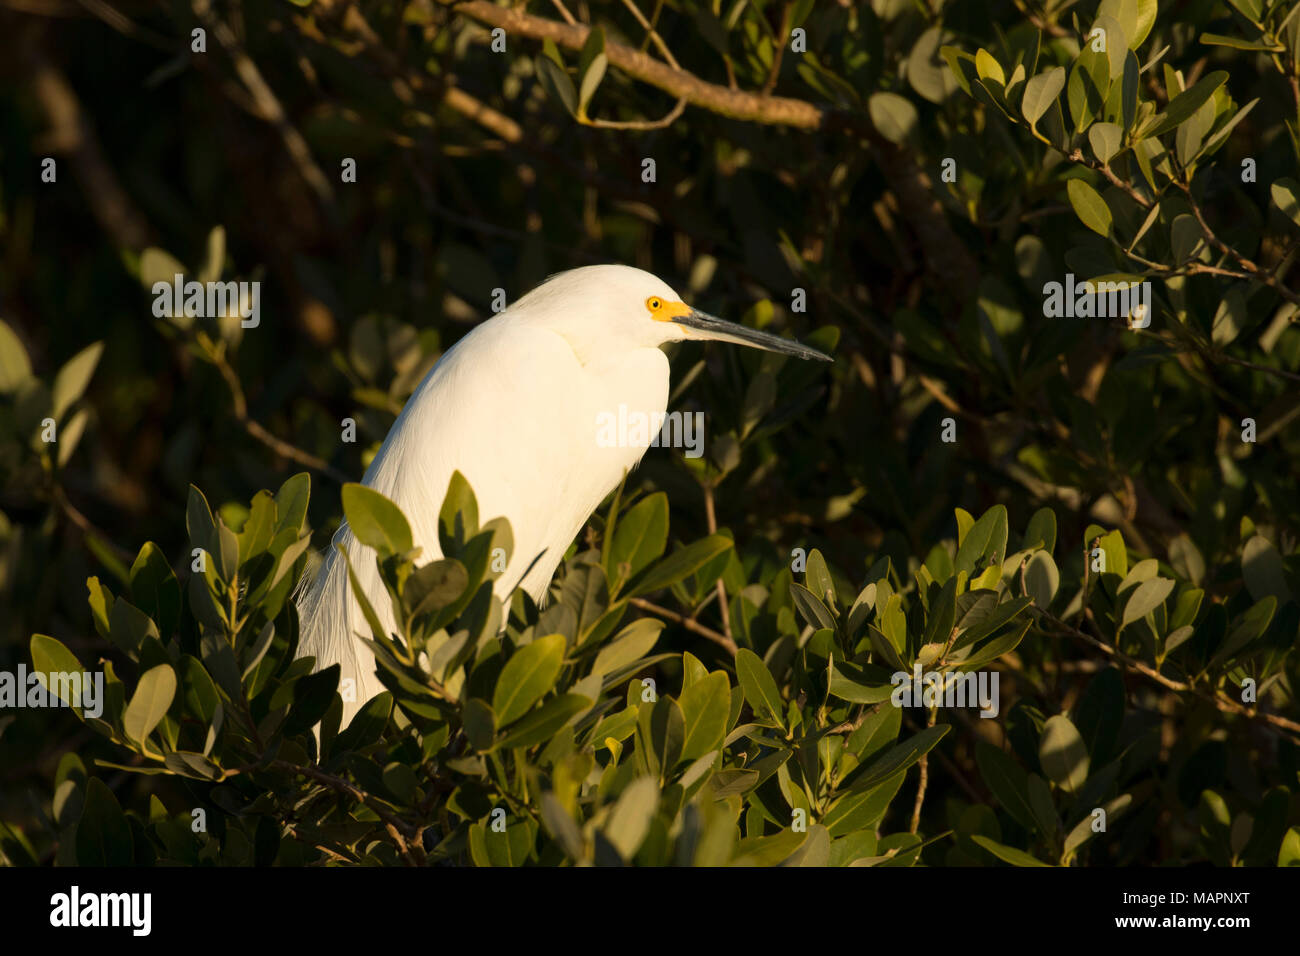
point(605, 308)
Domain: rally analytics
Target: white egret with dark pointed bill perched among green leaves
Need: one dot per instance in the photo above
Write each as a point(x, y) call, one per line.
point(514, 406)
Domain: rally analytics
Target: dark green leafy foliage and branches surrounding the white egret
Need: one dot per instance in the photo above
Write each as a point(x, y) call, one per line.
point(1102, 512)
